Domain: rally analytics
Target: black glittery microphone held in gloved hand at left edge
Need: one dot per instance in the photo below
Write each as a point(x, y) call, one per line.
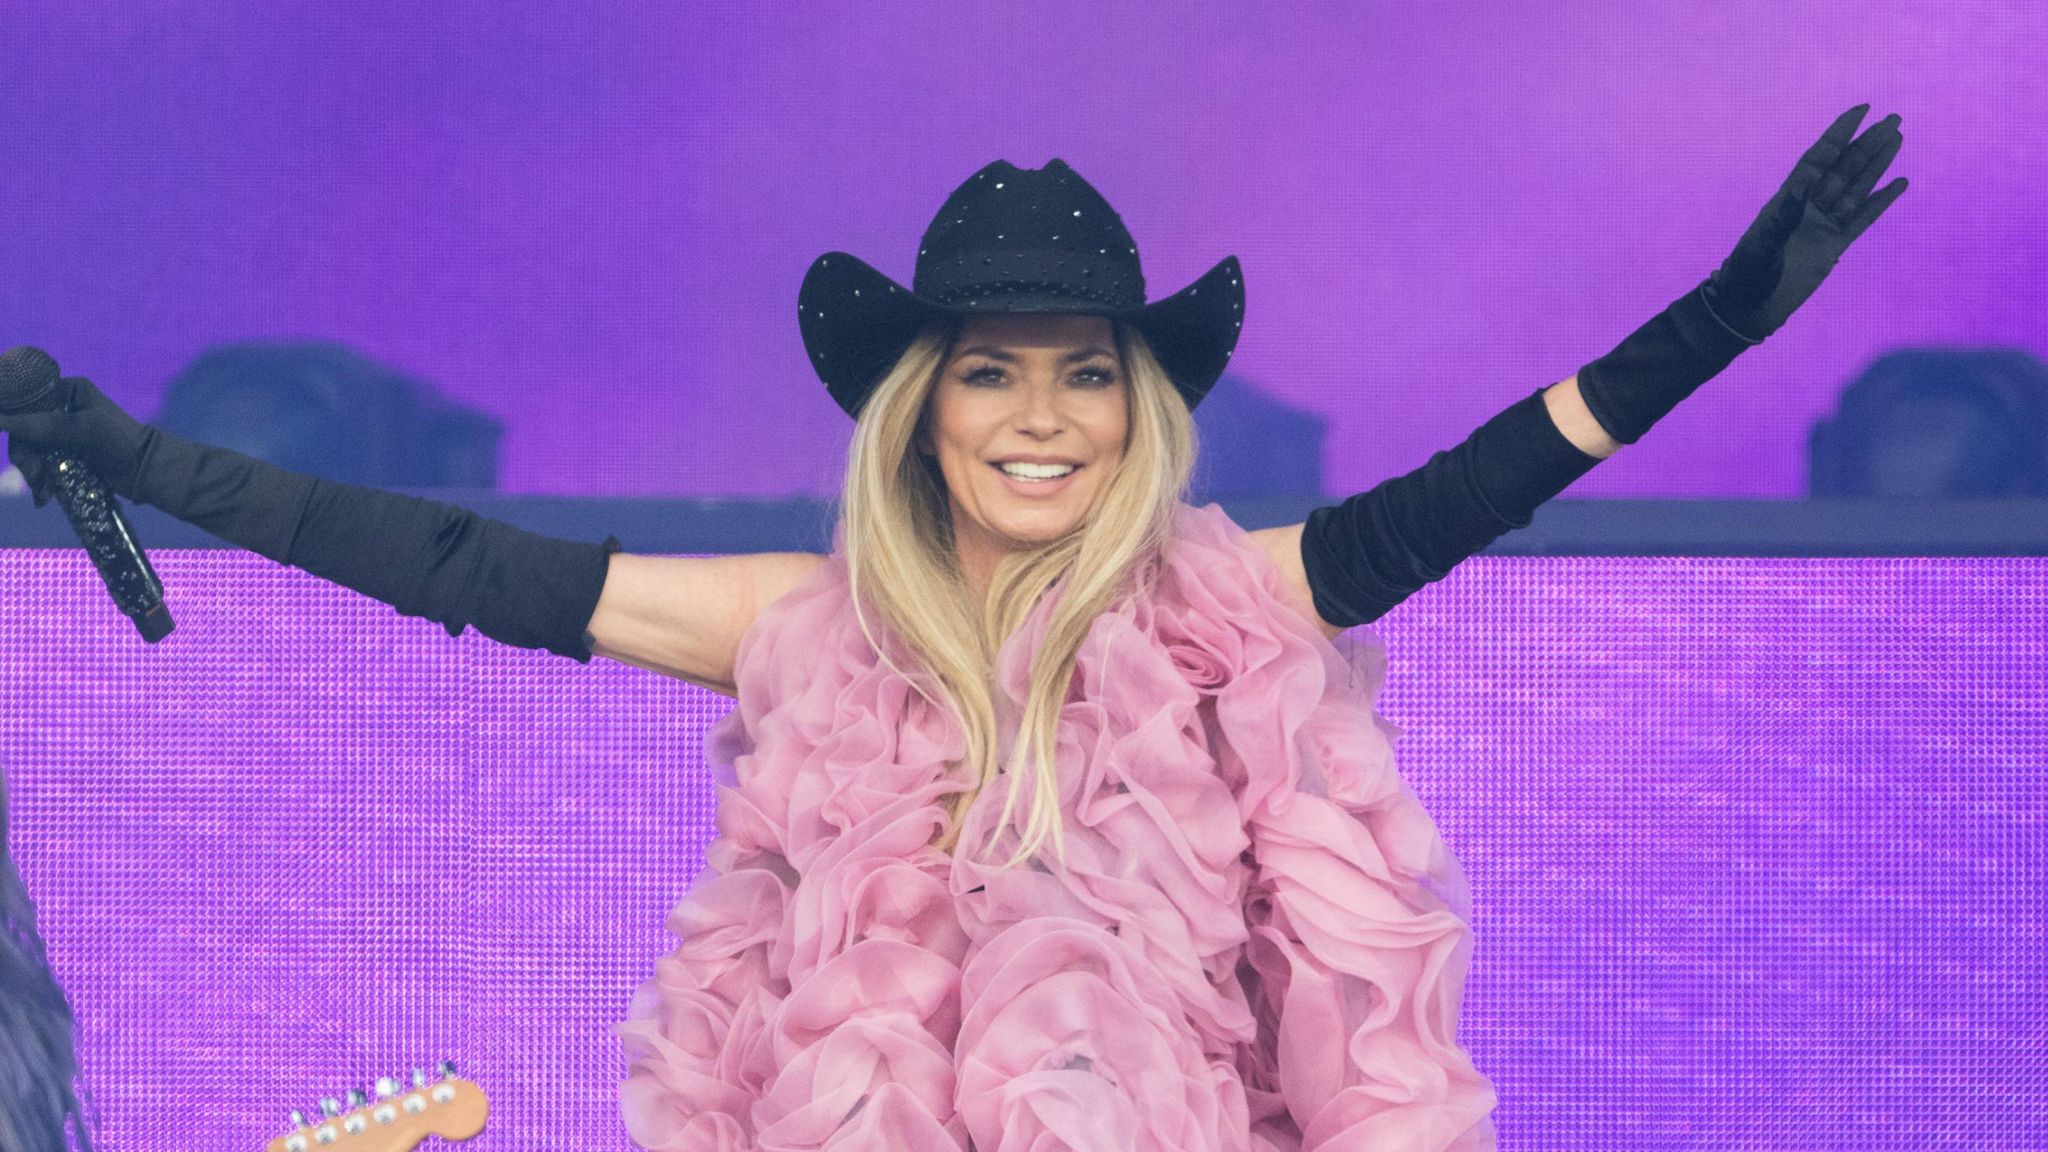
point(30, 384)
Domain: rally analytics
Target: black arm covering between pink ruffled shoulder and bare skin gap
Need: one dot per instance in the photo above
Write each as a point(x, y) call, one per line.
point(1379, 548)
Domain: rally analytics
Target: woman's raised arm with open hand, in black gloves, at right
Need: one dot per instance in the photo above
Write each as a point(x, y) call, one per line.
point(1361, 559)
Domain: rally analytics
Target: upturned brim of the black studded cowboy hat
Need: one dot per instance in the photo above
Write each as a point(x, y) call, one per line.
point(857, 323)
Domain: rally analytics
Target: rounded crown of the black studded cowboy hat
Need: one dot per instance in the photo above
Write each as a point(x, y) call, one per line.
point(1029, 239)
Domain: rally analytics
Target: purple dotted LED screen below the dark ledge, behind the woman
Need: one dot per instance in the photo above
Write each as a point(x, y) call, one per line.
point(1756, 846)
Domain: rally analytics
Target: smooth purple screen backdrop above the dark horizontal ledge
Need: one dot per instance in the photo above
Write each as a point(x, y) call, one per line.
point(591, 220)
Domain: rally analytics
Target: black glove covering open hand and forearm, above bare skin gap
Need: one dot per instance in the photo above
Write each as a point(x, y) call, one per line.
point(1785, 255)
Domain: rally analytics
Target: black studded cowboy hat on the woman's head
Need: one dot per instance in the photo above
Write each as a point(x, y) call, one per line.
point(1015, 241)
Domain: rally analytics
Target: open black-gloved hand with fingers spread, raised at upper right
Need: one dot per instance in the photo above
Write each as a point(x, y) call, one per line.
point(1822, 208)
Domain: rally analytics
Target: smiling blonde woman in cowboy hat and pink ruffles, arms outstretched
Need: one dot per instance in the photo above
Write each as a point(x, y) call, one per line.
point(1203, 911)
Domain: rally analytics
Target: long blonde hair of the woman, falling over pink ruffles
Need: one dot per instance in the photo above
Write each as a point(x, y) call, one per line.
point(900, 559)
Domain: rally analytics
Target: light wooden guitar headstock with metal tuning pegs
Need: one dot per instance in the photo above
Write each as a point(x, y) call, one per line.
point(398, 1120)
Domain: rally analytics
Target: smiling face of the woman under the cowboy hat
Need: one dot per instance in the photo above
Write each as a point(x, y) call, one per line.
point(1039, 388)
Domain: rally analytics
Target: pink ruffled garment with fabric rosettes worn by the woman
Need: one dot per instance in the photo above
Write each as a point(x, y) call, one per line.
point(1258, 944)
